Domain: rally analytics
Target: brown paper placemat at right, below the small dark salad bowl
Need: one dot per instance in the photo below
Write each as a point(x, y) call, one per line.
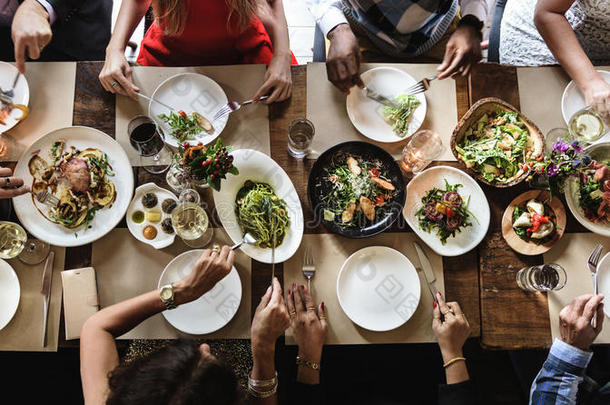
point(571, 252)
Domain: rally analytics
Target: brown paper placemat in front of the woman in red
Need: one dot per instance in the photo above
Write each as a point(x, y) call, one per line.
point(246, 129)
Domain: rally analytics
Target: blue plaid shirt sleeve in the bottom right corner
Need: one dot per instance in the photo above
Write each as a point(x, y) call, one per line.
point(562, 380)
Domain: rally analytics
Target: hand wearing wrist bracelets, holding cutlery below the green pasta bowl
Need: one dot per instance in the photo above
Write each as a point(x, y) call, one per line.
point(270, 319)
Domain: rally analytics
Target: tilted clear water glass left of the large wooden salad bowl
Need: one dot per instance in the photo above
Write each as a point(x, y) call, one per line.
point(424, 147)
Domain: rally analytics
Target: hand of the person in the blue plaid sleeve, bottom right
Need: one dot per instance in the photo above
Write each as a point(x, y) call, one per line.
point(575, 321)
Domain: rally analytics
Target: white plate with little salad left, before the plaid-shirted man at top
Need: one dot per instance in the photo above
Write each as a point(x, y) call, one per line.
point(366, 114)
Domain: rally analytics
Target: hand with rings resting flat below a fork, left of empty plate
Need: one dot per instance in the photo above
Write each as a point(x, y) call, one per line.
point(308, 328)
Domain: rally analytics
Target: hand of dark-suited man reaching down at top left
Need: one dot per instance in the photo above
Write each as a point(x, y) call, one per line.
point(31, 32)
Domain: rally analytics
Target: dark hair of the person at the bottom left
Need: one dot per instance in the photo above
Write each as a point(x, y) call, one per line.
point(174, 375)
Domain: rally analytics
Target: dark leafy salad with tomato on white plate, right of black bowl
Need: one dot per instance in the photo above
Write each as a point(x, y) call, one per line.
point(444, 211)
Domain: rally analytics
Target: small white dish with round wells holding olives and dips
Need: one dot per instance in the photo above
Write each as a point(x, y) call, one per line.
point(163, 239)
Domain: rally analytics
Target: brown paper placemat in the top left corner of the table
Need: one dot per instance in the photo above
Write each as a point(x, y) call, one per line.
point(51, 105)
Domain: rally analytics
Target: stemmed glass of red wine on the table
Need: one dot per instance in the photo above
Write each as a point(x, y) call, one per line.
point(147, 140)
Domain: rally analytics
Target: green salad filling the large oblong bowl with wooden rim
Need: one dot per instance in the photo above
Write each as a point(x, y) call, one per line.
point(496, 146)
